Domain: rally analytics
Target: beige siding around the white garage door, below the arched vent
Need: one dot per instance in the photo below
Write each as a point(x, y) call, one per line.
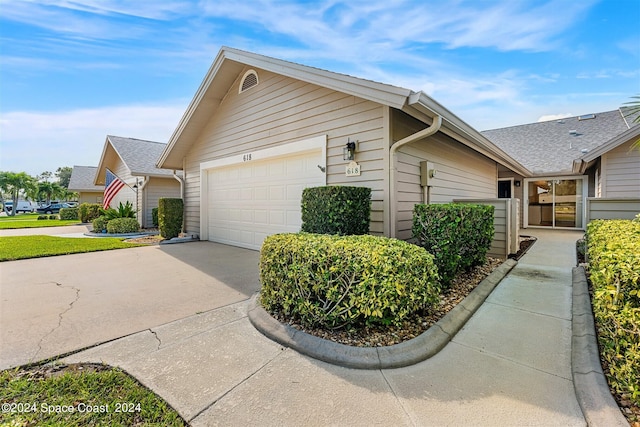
point(282, 110)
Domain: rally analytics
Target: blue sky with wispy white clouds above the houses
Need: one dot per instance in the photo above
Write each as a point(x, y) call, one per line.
point(72, 72)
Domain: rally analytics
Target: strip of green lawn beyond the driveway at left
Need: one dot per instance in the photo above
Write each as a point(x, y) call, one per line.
point(22, 247)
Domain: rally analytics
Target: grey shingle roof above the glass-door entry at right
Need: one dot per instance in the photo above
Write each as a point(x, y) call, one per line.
point(549, 148)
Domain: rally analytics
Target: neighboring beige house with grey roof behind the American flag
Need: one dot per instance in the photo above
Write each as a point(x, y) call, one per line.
point(133, 161)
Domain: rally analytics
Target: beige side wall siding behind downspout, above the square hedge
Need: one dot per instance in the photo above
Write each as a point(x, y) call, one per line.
point(461, 174)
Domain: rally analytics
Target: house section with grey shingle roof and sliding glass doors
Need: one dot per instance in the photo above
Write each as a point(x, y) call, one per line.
point(573, 161)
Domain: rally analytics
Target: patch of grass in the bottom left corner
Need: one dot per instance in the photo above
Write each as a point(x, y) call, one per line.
point(78, 395)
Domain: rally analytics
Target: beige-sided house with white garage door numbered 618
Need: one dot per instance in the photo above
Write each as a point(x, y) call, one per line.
point(259, 130)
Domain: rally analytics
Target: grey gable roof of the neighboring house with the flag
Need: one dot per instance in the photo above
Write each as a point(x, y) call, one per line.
point(138, 155)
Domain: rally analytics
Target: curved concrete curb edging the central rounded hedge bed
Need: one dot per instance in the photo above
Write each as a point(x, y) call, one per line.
point(406, 353)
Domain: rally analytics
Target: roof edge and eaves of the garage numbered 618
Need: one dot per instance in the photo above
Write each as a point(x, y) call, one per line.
point(229, 63)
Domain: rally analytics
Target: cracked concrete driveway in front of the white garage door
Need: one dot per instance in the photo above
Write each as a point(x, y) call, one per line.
point(51, 306)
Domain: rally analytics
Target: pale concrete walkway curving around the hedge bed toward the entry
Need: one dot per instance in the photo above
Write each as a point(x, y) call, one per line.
point(510, 365)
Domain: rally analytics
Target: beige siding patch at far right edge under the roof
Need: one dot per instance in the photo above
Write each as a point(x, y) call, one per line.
point(621, 172)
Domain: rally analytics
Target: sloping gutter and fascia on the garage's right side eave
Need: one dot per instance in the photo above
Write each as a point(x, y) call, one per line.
point(460, 130)
